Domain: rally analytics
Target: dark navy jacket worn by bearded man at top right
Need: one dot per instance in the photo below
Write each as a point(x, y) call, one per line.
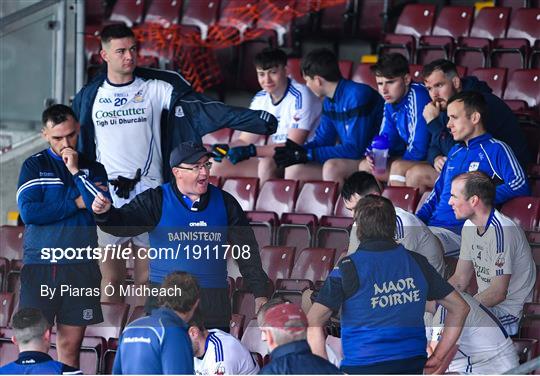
point(501, 123)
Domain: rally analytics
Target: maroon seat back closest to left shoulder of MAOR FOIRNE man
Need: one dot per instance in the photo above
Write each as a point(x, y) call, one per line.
point(313, 264)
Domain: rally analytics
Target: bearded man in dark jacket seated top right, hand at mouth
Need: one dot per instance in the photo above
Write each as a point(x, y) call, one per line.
point(442, 81)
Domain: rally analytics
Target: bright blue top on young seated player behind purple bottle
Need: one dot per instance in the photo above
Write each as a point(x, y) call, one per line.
point(405, 126)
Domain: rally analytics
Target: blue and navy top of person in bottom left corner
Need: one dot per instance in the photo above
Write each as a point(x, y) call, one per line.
point(37, 363)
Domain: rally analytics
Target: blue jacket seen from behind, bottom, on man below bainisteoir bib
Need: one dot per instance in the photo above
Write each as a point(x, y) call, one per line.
point(156, 344)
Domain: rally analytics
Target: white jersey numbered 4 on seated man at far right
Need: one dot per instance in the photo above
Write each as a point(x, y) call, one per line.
point(501, 249)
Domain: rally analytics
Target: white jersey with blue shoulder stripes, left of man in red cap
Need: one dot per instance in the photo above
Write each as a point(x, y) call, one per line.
point(225, 355)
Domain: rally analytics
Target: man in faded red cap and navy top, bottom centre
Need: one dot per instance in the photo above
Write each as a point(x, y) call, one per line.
point(284, 328)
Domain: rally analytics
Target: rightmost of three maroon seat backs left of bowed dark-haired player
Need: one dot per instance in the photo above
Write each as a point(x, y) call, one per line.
point(317, 197)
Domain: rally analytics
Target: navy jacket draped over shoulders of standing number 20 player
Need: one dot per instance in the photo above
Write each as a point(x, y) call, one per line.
point(190, 115)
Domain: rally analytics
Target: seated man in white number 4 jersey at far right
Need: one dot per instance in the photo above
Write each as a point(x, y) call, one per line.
point(494, 248)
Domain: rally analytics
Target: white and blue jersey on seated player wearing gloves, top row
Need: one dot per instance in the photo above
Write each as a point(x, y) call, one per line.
point(298, 109)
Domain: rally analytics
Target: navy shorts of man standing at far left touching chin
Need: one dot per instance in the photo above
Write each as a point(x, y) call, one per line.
point(76, 298)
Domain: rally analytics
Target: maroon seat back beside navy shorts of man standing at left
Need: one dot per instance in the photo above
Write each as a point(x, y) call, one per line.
point(114, 319)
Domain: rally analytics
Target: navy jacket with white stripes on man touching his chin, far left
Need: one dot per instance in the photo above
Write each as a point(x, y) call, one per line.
point(46, 200)
